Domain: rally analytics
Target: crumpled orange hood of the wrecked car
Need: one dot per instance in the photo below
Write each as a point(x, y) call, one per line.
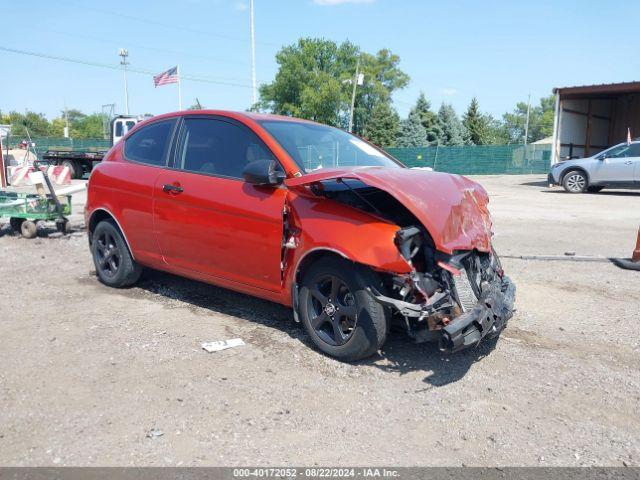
point(452, 208)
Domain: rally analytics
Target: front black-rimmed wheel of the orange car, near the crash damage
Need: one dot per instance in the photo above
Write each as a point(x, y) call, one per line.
point(341, 317)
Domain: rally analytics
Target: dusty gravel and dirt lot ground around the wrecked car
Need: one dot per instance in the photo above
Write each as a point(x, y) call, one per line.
point(88, 373)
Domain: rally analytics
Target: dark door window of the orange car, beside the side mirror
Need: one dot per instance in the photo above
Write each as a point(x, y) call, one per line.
point(216, 147)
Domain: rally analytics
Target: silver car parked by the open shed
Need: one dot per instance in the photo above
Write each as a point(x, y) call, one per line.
point(617, 166)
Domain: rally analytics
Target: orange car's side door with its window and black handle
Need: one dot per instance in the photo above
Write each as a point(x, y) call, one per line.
point(207, 219)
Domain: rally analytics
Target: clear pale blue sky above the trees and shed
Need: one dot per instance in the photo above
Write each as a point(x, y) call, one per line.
point(498, 51)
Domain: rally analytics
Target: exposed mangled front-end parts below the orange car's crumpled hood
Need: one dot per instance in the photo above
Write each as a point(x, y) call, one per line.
point(456, 300)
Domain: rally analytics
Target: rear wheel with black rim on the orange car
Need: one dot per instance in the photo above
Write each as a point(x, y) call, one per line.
point(114, 264)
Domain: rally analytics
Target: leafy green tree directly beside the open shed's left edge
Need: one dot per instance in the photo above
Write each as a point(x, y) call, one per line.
point(540, 120)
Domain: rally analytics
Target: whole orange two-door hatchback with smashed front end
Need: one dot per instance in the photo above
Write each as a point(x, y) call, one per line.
point(305, 215)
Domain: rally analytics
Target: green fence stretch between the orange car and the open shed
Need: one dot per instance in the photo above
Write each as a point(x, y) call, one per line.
point(478, 159)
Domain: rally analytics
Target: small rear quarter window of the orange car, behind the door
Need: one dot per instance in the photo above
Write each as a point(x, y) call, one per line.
point(149, 144)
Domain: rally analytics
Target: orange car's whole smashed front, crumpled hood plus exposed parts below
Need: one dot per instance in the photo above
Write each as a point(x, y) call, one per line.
point(456, 292)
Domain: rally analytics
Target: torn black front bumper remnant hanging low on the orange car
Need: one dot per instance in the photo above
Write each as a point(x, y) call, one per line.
point(486, 319)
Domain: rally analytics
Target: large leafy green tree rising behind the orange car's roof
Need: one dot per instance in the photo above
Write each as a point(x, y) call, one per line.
point(314, 81)
